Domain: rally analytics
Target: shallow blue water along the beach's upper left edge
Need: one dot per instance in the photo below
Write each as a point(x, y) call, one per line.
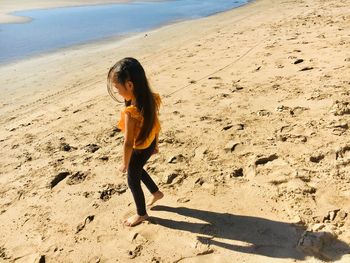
point(51, 29)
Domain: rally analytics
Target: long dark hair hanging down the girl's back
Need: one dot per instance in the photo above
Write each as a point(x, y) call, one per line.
point(129, 69)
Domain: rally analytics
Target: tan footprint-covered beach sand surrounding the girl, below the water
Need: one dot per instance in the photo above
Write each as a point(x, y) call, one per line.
point(254, 151)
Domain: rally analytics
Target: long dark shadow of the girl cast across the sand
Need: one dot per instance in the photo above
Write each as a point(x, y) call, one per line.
point(265, 237)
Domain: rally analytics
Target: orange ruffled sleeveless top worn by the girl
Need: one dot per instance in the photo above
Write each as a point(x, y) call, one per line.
point(136, 114)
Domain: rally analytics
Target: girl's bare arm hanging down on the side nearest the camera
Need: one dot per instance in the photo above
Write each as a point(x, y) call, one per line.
point(128, 141)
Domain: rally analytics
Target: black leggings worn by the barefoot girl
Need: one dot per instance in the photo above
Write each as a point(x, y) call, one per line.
point(136, 173)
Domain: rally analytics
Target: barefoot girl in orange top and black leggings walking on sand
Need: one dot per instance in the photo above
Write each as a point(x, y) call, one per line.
point(140, 125)
